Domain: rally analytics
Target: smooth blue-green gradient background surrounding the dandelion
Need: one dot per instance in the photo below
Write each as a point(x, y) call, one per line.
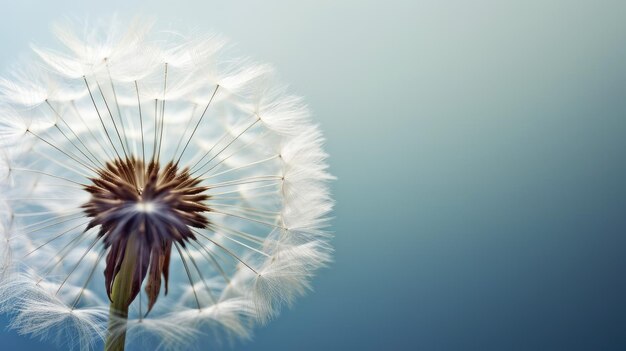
point(479, 149)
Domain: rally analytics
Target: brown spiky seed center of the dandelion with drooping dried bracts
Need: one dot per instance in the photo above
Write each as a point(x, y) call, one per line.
point(157, 206)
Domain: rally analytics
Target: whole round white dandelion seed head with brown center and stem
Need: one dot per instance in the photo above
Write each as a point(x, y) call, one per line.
point(151, 185)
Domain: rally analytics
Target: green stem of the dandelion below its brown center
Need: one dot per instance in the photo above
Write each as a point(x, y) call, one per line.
point(120, 294)
